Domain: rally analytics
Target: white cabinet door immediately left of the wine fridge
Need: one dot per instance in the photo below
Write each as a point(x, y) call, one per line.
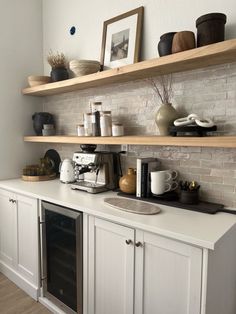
point(27, 238)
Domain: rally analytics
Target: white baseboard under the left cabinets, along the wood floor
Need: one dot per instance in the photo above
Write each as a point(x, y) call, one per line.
point(20, 281)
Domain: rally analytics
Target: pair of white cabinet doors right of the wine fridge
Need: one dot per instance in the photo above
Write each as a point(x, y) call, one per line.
point(163, 278)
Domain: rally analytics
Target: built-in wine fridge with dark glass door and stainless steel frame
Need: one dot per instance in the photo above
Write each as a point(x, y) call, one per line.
point(47, 281)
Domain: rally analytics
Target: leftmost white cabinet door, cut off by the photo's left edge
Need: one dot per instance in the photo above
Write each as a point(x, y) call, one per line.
point(8, 227)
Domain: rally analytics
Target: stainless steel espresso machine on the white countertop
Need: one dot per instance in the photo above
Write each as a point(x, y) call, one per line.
point(95, 172)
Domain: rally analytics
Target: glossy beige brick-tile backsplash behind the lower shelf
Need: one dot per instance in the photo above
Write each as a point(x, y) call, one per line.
point(209, 92)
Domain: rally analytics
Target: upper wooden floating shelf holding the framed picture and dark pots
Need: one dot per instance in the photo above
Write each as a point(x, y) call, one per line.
point(223, 52)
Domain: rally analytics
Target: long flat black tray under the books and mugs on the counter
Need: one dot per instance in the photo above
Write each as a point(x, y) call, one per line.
point(203, 207)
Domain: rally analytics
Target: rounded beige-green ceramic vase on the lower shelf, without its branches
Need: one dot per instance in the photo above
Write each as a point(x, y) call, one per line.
point(165, 117)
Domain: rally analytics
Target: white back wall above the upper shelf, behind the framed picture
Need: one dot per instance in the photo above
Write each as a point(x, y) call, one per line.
point(161, 16)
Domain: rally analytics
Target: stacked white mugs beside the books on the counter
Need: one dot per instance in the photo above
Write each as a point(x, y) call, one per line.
point(163, 181)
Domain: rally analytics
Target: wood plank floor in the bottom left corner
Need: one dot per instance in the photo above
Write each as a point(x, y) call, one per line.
point(15, 301)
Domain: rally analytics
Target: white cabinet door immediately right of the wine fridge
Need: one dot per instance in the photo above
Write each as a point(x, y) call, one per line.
point(111, 268)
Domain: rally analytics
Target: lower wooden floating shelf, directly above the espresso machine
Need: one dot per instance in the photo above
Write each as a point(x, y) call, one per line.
point(208, 141)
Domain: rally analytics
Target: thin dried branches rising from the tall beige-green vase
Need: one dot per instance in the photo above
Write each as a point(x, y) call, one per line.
point(163, 88)
